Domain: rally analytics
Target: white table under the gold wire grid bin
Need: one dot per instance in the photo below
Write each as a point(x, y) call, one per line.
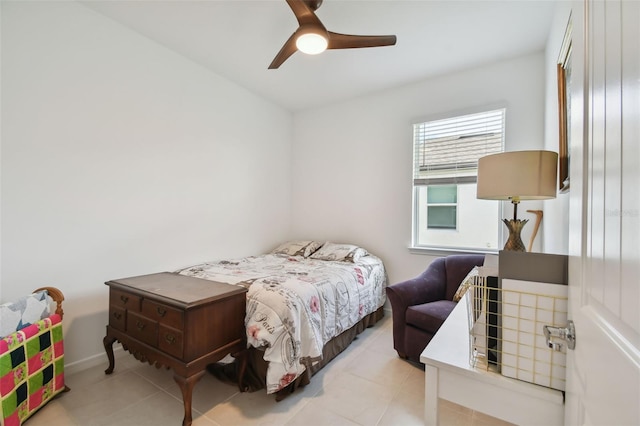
point(449, 375)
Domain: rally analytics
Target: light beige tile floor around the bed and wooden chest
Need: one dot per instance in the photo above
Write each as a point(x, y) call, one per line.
point(365, 385)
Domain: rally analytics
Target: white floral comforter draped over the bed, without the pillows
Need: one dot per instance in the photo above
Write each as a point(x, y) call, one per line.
point(296, 304)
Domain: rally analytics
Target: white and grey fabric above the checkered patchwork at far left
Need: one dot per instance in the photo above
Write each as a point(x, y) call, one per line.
point(23, 312)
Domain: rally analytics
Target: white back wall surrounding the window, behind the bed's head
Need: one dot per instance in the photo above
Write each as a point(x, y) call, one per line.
point(352, 161)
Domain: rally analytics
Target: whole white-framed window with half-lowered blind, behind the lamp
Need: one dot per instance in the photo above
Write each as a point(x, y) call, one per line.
point(447, 214)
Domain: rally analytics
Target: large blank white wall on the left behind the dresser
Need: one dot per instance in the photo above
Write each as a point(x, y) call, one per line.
point(121, 158)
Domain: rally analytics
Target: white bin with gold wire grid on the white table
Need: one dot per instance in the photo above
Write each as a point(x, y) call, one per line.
point(506, 326)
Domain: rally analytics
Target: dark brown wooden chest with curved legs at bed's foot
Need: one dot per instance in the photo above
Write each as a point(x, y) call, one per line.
point(177, 322)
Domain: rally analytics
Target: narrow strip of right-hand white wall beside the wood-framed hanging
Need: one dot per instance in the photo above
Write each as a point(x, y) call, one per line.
point(556, 212)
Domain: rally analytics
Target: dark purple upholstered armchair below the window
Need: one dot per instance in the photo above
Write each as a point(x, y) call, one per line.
point(420, 305)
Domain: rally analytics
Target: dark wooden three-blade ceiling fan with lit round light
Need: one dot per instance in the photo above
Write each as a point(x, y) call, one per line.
point(312, 37)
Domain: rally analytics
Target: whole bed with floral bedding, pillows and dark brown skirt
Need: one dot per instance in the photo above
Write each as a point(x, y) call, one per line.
point(306, 302)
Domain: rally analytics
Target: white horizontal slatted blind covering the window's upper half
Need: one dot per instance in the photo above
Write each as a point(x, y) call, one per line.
point(447, 151)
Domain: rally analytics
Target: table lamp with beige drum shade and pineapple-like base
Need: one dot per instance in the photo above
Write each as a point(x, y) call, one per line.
point(517, 176)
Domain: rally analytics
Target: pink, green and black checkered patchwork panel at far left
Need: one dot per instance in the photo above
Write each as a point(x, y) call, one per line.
point(31, 369)
